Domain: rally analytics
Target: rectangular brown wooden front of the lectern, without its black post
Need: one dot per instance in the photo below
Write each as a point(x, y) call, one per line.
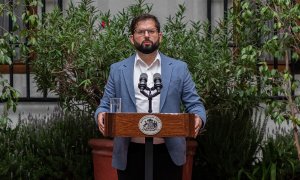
point(128, 124)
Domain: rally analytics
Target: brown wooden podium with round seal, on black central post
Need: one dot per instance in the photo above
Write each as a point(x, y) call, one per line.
point(149, 125)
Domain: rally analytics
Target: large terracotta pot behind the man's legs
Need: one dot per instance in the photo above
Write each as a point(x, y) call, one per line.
point(102, 156)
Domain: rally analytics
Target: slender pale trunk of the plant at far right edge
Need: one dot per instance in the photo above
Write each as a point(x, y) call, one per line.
point(292, 106)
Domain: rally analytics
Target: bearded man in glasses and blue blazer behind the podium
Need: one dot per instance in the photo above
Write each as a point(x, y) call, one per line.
point(178, 88)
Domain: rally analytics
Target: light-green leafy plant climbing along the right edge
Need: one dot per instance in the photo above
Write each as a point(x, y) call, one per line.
point(267, 31)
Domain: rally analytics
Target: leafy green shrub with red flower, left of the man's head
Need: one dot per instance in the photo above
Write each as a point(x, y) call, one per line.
point(74, 51)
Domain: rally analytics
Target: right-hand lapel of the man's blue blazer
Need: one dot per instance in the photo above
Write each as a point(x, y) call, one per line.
point(166, 73)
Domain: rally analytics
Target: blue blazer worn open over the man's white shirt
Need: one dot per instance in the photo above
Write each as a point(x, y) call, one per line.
point(178, 88)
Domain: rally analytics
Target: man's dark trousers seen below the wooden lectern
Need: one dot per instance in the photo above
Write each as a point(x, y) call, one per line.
point(163, 166)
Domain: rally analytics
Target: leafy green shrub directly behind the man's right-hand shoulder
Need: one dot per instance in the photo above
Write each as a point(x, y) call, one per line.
point(222, 80)
